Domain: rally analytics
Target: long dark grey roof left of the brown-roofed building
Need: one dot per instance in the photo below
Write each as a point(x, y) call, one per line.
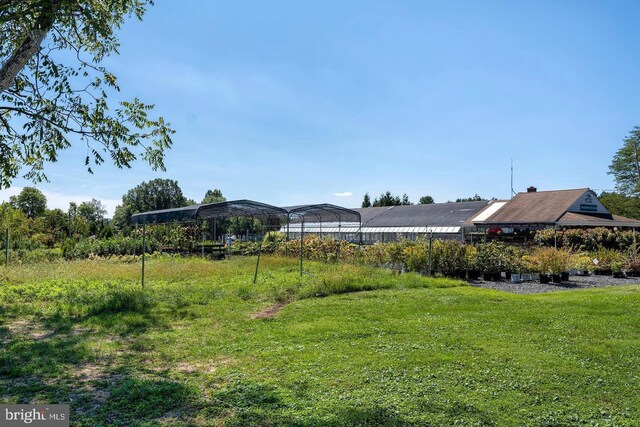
point(432, 215)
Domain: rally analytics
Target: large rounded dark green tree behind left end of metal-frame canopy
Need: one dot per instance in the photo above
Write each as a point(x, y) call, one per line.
point(149, 196)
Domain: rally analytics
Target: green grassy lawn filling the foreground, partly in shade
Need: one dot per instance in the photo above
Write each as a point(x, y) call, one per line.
point(196, 347)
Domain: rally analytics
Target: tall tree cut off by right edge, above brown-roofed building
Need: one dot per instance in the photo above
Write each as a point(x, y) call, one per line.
point(625, 166)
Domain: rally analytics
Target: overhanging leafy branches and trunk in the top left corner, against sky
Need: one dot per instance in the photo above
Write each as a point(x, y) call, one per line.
point(46, 102)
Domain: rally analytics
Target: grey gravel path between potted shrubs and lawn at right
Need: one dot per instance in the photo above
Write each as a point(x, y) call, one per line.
point(535, 287)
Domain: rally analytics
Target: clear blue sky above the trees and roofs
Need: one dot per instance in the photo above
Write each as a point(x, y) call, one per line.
point(290, 102)
